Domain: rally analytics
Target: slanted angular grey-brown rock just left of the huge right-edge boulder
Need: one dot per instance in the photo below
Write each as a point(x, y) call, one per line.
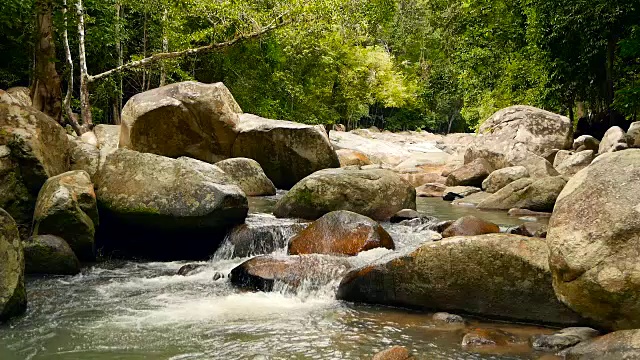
point(527, 193)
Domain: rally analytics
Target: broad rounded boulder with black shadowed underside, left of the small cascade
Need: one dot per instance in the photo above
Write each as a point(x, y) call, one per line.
point(165, 208)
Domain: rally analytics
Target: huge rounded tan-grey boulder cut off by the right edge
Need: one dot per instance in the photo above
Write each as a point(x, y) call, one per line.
point(593, 236)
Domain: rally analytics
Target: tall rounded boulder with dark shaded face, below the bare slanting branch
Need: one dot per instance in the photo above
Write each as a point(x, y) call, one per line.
point(182, 119)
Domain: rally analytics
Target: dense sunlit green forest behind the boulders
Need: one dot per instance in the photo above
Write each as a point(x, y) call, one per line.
point(437, 65)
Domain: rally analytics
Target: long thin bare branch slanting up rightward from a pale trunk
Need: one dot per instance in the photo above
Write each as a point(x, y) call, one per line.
point(177, 54)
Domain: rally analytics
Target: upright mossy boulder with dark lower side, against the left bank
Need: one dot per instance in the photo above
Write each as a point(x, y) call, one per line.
point(67, 208)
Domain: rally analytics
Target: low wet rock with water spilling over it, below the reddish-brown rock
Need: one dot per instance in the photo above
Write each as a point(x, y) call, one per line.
point(263, 272)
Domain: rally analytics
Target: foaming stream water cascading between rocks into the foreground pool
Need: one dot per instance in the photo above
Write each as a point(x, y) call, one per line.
point(129, 310)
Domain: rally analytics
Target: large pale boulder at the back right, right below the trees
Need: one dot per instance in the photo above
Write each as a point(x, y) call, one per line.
point(531, 129)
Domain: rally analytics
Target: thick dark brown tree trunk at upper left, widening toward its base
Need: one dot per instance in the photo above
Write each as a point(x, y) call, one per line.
point(46, 92)
